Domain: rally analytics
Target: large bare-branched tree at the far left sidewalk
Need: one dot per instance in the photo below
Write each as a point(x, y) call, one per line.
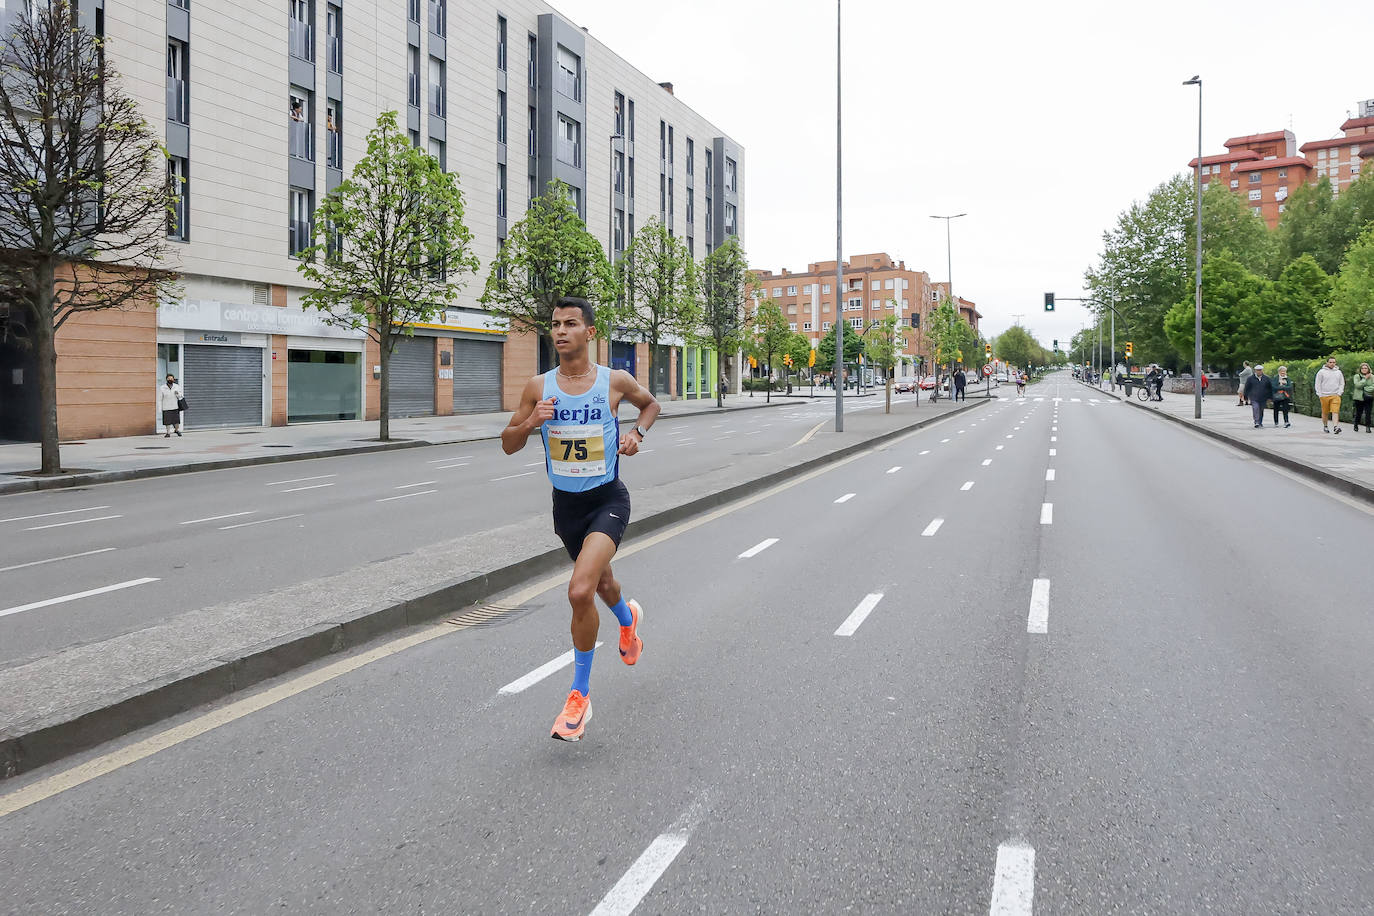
point(85, 194)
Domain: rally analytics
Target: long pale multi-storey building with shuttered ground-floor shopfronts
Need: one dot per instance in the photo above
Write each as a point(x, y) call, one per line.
point(266, 109)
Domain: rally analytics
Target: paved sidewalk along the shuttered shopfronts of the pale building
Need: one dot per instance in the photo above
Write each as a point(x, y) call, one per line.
point(135, 457)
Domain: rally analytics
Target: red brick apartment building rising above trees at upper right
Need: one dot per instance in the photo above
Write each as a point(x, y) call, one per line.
point(1265, 168)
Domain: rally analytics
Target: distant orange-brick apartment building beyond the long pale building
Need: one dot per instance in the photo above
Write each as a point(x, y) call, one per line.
point(876, 286)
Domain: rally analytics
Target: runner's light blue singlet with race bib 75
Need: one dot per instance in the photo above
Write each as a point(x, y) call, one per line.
point(582, 442)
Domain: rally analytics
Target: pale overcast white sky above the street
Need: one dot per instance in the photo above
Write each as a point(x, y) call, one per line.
point(1042, 122)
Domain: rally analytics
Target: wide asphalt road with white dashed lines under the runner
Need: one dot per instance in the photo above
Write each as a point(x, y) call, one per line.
point(1055, 657)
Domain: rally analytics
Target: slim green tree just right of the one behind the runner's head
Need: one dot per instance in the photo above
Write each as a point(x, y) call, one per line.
point(660, 285)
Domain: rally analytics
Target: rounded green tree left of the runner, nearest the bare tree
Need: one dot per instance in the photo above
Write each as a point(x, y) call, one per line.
point(390, 248)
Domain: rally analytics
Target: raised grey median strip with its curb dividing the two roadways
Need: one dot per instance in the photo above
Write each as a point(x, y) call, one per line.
point(80, 697)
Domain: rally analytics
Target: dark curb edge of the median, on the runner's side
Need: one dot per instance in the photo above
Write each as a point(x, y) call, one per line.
point(30, 746)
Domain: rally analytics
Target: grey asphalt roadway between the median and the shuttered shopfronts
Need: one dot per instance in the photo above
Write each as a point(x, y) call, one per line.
point(166, 546)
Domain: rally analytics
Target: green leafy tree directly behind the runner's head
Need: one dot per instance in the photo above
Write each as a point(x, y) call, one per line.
point(548, 256)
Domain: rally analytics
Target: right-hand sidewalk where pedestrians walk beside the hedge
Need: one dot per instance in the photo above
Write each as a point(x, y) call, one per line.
point(1344, 462)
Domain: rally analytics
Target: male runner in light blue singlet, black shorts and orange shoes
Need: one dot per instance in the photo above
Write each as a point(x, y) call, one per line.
point(575, 409)
